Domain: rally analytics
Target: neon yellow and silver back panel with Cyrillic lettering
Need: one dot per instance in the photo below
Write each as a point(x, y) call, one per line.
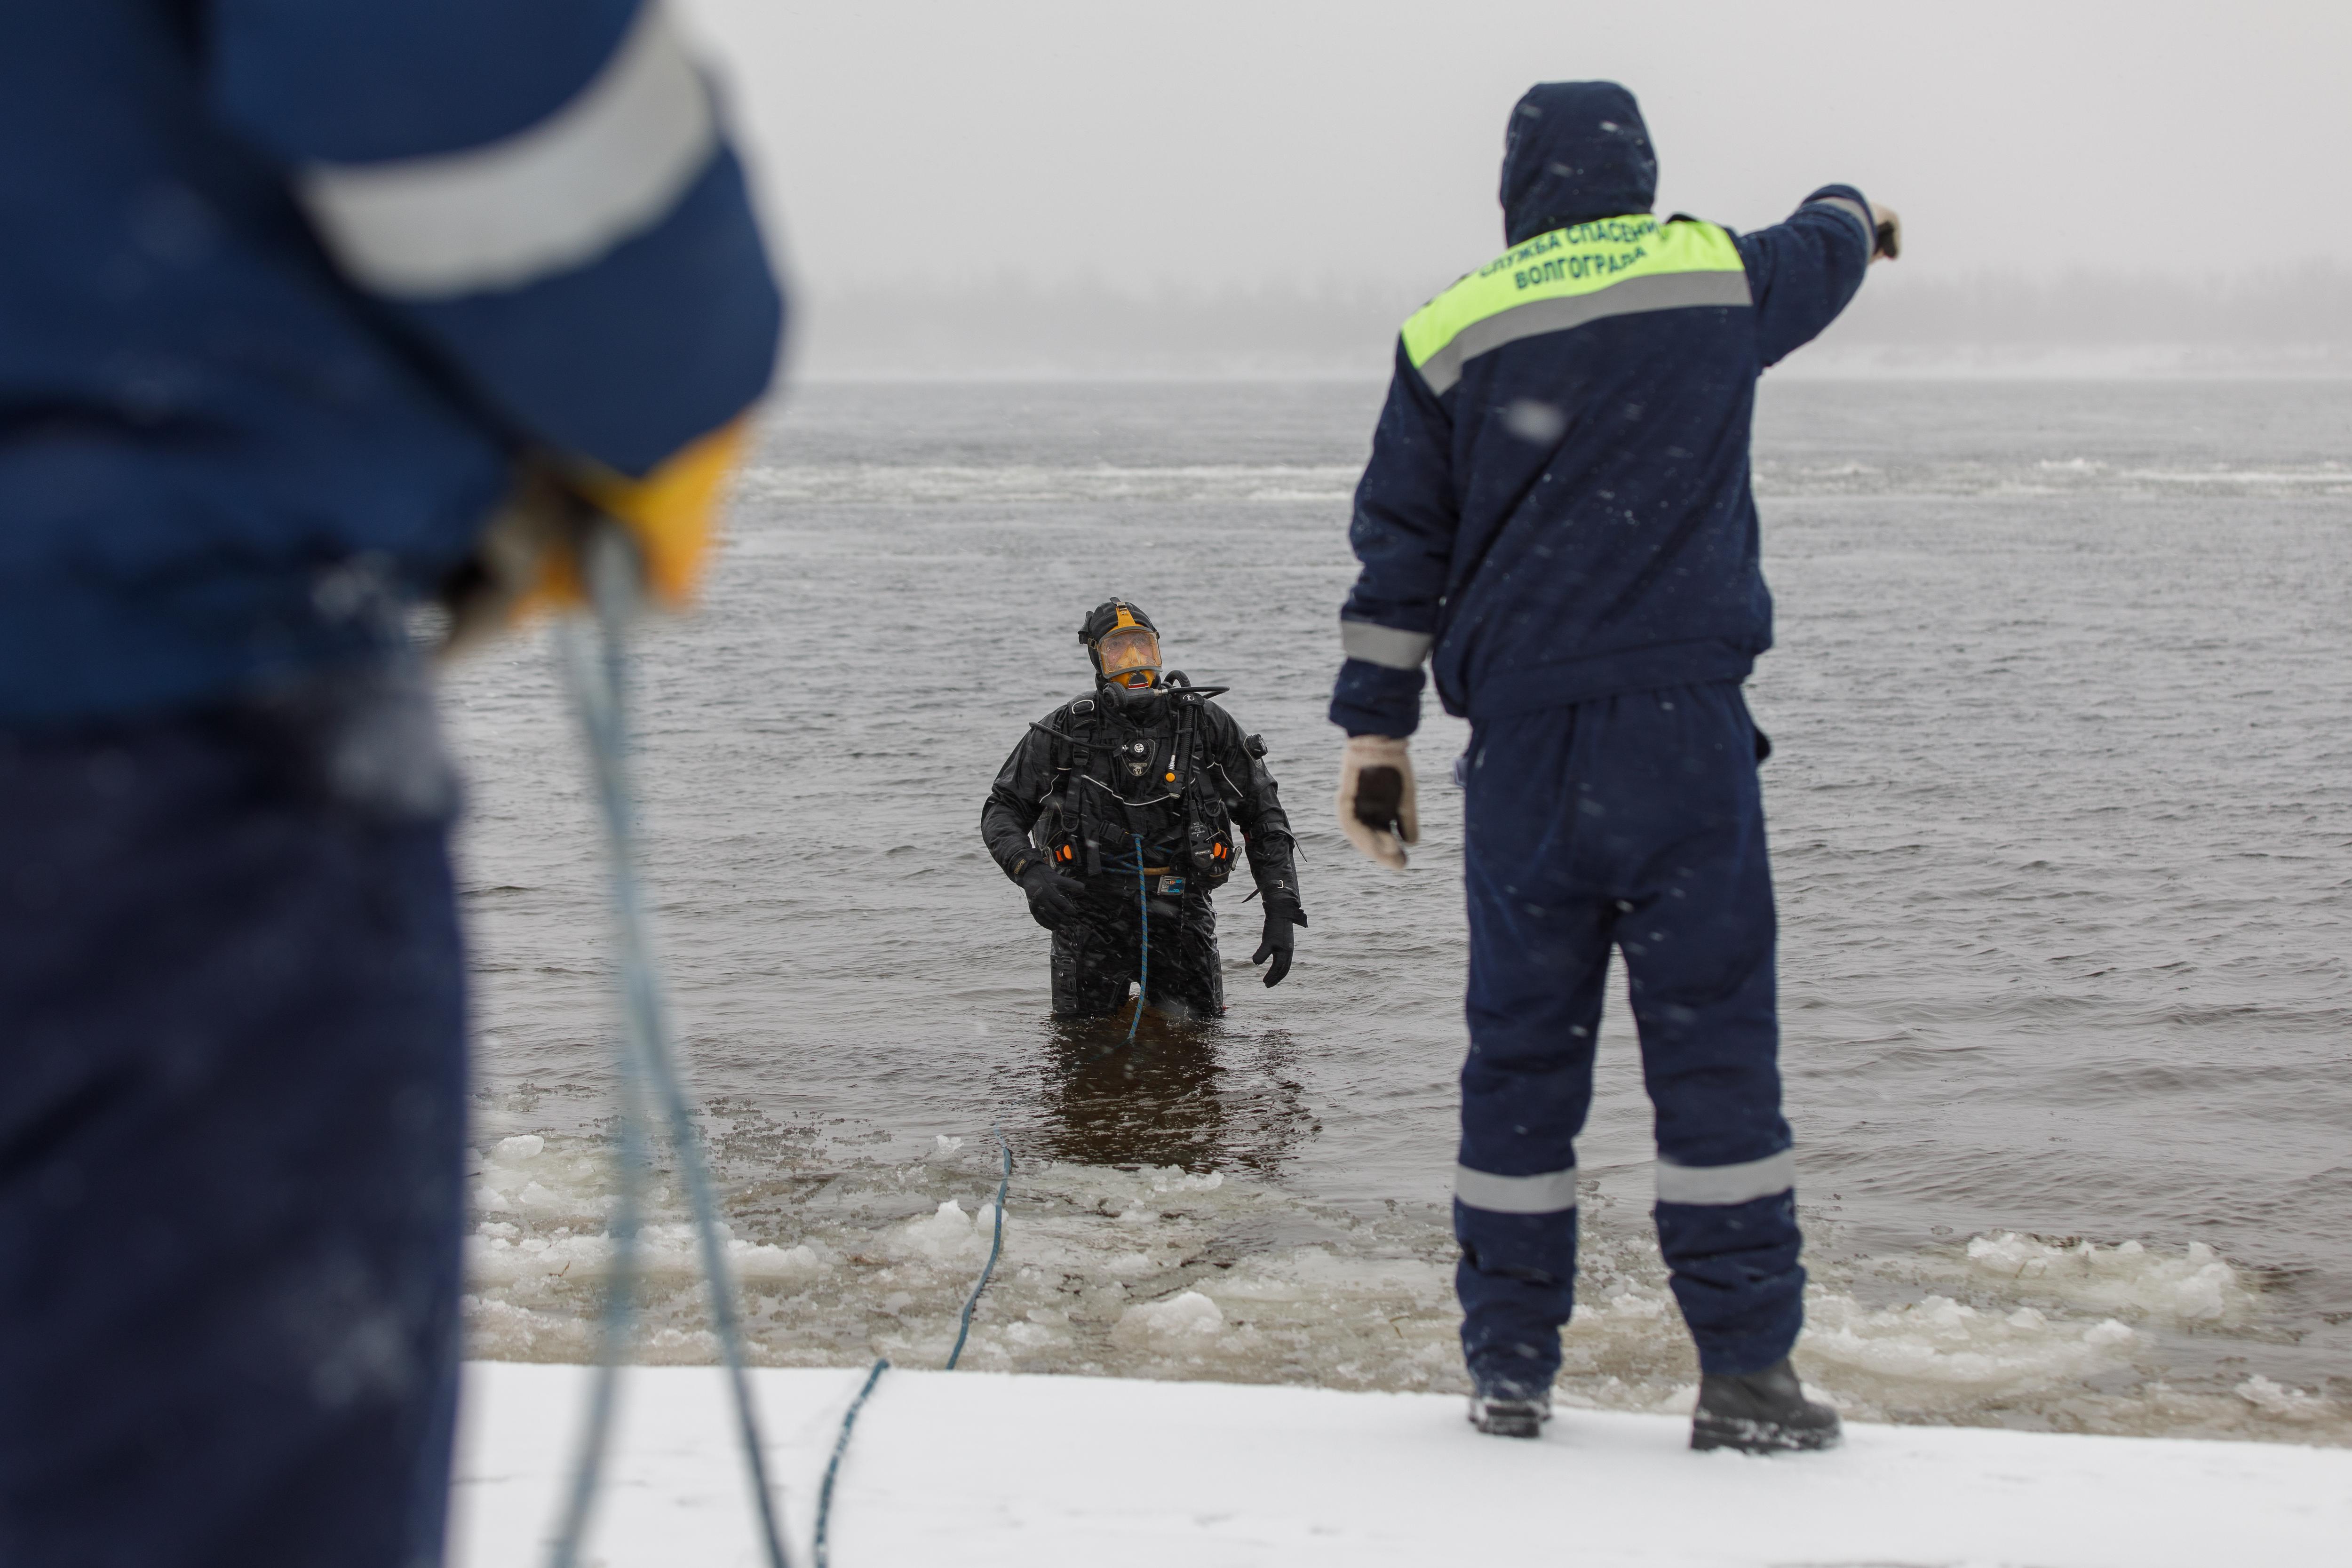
point(1568, 279)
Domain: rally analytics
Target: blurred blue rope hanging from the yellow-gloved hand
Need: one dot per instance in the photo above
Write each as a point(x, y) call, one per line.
point(599, 683)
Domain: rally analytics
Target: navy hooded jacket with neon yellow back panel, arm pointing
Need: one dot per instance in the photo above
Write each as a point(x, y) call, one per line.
point(1558, 492)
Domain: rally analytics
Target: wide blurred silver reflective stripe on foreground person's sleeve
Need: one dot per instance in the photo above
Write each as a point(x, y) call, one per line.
point(603, 168)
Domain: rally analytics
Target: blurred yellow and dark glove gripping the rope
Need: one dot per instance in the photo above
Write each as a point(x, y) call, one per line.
point(528, 556)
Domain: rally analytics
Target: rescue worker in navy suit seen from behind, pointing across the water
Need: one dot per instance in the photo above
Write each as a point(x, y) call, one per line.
point(1558, 518)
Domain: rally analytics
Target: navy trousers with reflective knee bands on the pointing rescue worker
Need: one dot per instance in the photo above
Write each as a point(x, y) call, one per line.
point(1631, 824)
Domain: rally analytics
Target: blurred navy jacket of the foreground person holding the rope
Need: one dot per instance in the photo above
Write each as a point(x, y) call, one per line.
point(286, 288)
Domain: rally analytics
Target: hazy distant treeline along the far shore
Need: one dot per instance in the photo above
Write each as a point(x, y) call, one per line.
point(2292, 319)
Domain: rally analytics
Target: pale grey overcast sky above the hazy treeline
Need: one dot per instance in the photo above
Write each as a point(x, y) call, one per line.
point(1304, 142)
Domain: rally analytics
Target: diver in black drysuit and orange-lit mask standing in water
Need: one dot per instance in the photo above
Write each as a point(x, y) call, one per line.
point(1128, 800)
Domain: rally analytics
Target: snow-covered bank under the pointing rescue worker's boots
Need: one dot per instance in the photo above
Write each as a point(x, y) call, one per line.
point(991, 1468)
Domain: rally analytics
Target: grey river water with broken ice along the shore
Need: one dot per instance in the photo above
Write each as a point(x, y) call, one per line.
point(2062, 808)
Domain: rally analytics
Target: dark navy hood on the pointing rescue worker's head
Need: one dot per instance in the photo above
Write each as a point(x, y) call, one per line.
point(1575, 152)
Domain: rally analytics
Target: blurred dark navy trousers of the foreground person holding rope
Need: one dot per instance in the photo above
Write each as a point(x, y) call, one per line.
point(232, 1139)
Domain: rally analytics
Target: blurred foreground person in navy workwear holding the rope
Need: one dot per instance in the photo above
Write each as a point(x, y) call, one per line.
point(290, 300)
